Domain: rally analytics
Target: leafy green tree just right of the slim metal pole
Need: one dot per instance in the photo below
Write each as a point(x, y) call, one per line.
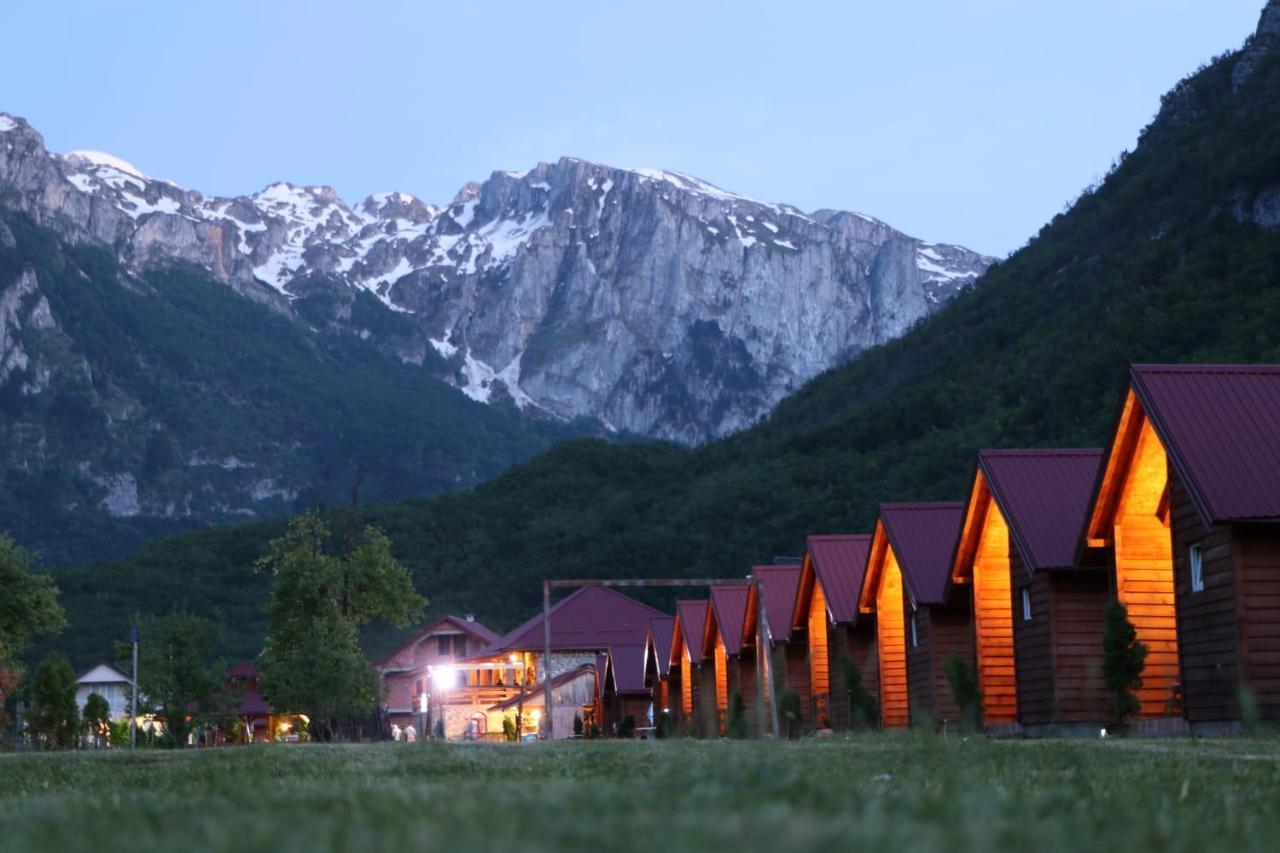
point(176, 678)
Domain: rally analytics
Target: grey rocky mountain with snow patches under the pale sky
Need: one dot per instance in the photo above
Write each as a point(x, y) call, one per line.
point(653, 302)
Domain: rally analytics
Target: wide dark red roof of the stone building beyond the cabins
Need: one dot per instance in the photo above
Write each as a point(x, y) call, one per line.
point(589, 619)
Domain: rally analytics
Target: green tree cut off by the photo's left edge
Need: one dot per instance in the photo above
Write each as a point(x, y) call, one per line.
point(29, 608)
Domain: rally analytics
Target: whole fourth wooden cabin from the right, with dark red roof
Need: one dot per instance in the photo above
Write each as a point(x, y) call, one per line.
point(831, 577)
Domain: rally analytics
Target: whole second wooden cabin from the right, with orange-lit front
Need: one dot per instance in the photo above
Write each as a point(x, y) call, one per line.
point(1037, 599)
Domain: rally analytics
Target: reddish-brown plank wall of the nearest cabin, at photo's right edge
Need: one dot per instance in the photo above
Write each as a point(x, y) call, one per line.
point(1259, 560)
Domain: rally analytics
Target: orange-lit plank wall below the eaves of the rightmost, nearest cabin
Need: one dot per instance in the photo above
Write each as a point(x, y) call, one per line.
point(1144, 571)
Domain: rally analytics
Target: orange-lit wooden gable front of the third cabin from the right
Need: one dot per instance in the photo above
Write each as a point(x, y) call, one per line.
point(886, 591)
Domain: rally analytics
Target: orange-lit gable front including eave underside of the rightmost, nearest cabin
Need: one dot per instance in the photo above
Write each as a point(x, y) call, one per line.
point(1132, 516)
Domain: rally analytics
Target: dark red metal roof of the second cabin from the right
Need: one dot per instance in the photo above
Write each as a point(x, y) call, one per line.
point(1045, 498)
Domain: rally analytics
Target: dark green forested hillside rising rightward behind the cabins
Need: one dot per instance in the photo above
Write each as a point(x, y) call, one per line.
point(1173, 258)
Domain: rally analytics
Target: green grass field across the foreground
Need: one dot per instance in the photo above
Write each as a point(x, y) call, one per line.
point(904, 792)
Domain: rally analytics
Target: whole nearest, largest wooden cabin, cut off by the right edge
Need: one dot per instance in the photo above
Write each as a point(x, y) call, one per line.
point(1188, 500)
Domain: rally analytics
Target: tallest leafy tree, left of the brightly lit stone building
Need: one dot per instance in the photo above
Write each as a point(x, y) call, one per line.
point(313, 662)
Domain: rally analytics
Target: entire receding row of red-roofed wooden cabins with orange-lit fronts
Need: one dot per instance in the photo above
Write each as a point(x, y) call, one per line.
point(1178, 518)
